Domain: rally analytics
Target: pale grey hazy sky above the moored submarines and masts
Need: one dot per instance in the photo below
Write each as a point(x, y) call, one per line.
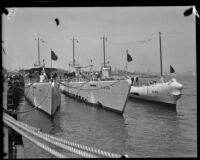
point(135, 29)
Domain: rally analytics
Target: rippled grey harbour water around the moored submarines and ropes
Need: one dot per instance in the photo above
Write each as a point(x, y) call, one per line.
point(145, 129)
